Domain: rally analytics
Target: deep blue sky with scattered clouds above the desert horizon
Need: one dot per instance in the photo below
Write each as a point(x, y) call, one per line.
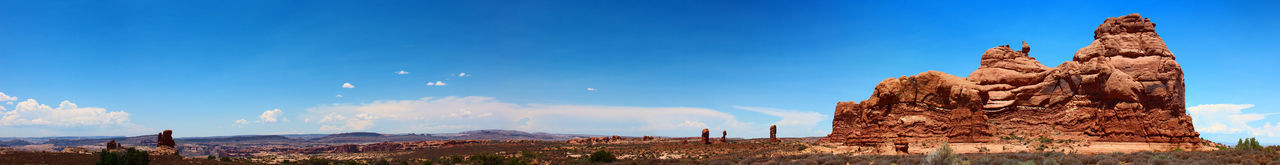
point(657, 68)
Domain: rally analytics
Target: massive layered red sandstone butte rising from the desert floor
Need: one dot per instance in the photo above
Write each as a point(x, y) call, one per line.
point(1124, 88)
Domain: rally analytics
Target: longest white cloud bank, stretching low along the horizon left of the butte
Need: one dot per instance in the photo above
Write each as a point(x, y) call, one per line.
point(454, 114)
